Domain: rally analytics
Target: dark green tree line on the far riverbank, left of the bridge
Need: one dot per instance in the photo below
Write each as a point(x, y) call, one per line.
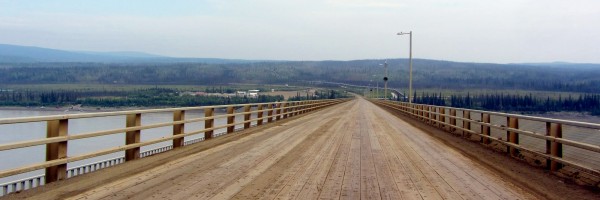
point(105, 98)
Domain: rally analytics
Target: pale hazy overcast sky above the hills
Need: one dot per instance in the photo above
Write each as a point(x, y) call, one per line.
point(458, 30)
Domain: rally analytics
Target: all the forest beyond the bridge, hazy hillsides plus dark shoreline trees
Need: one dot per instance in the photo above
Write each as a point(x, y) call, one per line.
point(580, 80)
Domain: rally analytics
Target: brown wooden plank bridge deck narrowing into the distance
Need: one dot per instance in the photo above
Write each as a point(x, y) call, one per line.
point(349, 151)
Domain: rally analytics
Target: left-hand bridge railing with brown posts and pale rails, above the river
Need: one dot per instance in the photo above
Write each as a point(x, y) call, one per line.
point(58, 137)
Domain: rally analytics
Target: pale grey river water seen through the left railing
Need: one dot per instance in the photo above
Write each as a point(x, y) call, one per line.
point(15, 158)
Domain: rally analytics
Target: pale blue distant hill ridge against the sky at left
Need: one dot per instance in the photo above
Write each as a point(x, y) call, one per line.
point(29, 54)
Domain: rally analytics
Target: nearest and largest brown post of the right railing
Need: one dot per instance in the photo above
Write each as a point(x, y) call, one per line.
point(554, 148)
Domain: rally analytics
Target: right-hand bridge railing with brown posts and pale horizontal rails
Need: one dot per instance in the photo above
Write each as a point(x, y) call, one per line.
point(561, 143)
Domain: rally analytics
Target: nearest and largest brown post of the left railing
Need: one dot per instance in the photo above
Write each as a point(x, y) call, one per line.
point(57, 150)
